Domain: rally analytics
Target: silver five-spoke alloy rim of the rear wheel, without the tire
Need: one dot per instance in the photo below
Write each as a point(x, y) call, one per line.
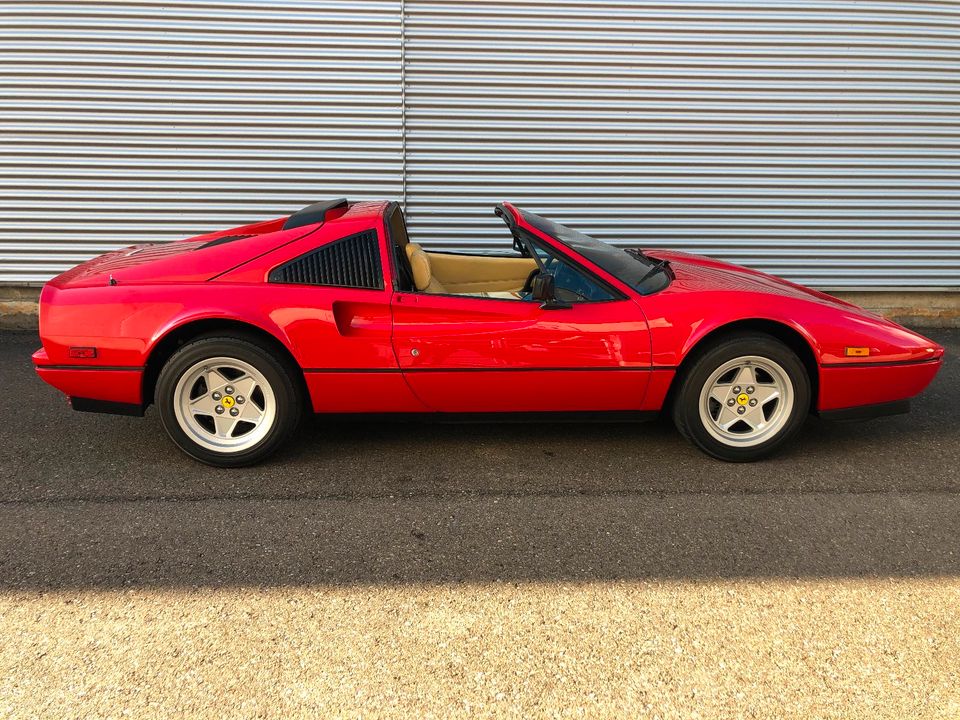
point(224, 404)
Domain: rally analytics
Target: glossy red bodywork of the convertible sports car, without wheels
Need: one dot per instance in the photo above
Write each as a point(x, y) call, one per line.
point(108, 325)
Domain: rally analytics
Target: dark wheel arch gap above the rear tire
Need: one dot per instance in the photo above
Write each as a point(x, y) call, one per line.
point(178, 336)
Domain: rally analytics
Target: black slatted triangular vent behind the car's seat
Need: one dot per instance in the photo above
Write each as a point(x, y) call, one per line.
point(353, 261)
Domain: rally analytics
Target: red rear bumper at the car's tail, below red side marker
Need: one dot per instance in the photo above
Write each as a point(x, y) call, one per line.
point(99, 386)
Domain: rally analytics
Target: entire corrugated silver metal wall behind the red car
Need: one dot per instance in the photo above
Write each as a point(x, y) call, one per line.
point(818, 140)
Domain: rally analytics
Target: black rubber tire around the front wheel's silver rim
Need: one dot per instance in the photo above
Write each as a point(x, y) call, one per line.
point(687, 401)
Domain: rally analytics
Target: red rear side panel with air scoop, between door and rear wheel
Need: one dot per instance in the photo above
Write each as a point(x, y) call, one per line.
point(329, 294)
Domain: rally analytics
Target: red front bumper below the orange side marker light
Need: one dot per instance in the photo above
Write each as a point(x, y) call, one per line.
point(849, 387)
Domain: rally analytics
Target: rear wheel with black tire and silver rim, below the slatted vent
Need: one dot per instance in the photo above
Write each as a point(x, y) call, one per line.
point(228, 401)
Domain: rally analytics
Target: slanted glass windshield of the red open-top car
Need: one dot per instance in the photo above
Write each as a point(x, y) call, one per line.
point(628, 266)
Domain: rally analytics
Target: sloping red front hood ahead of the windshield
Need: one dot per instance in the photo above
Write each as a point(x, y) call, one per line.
point(699, 274)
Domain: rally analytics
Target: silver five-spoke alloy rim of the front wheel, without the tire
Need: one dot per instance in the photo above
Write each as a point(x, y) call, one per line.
point(746, 401)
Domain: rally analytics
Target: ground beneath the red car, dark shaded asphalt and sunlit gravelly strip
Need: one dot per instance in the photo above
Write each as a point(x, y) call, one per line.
point(411, 569)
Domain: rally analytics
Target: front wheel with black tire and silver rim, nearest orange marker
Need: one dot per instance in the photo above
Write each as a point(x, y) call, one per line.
point(743, 398)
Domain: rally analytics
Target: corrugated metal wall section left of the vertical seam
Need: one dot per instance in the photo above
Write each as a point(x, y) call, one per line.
point(125, 122)
